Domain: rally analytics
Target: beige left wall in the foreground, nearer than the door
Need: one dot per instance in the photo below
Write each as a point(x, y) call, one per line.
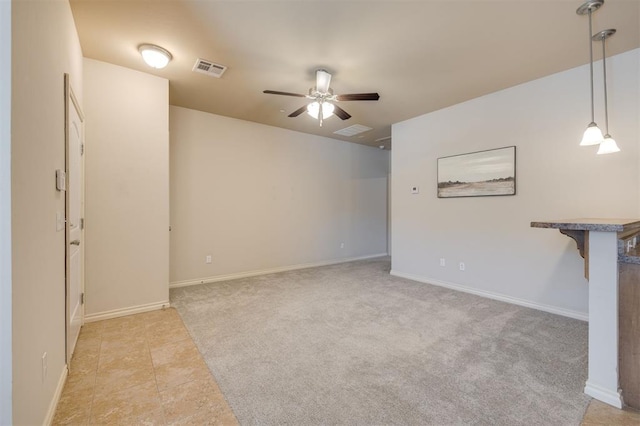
point(44, 47)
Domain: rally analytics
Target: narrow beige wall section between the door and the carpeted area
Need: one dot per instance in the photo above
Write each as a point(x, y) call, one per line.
point(127, 190)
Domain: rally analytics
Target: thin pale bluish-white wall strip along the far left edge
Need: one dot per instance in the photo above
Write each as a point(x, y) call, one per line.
point(5, 213)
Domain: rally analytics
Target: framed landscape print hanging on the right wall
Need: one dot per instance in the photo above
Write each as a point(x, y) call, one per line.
point(478, 174)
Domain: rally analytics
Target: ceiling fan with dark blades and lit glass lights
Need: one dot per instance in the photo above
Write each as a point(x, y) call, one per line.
point(323, 105)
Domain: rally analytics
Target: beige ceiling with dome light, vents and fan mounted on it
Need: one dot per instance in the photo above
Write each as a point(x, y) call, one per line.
point(420, 56)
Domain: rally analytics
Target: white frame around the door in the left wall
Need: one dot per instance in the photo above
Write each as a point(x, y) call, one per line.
point(70, 101)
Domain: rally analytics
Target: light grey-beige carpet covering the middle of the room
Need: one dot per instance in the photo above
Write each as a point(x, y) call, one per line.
point(350, 344)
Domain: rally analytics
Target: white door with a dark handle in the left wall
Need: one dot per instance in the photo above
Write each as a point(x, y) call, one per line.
point(74, 207)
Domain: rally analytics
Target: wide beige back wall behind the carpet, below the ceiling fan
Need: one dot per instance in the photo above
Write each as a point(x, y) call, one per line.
point(259, 198)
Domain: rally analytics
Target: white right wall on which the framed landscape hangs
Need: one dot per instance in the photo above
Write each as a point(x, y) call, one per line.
point(556, 179)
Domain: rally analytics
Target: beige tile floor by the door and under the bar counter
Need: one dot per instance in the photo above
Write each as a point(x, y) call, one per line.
point(145, 370)
